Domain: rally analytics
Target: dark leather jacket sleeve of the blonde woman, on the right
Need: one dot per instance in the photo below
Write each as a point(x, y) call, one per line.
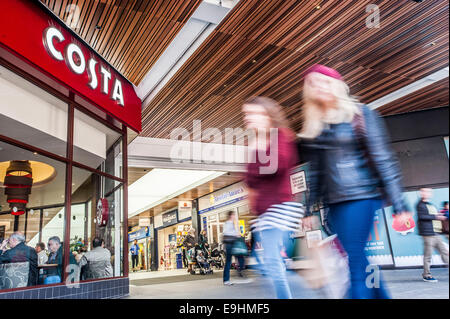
point(383, 159)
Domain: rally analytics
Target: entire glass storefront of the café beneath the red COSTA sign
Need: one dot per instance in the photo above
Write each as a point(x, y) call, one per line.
point(43, 167)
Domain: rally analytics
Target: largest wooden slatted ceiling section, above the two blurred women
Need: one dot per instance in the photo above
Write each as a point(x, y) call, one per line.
point(262, 48)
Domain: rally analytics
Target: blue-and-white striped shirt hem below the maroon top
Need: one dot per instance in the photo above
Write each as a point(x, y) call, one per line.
point(285, 216)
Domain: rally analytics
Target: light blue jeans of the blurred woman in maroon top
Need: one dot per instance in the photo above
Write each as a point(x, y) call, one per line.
point(272, 240)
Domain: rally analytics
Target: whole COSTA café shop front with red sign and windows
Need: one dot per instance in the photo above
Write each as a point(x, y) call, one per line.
point(64, 117)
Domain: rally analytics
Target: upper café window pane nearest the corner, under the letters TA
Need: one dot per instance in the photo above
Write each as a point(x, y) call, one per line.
point(96, 145)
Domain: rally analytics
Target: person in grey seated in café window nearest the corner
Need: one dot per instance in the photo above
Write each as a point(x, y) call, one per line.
point(97, 262)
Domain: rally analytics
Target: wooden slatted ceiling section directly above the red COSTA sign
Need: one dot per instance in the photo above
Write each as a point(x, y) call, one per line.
point(133, 33)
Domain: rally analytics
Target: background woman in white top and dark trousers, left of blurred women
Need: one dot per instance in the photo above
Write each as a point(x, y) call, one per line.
point(230, 235)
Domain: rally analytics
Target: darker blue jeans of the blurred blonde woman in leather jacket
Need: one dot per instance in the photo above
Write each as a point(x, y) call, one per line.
point(352, 222)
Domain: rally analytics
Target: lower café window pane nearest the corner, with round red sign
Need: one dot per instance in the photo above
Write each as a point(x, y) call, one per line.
point(96, 212)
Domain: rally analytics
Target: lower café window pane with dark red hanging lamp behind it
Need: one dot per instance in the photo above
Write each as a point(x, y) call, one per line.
point(30, 185)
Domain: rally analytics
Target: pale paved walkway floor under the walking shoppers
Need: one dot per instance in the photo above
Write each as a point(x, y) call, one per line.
point(403, 284)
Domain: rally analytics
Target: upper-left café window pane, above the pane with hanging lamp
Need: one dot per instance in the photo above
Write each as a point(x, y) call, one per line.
point(31, 115)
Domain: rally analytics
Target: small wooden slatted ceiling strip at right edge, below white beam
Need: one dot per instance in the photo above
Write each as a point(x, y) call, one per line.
point(435, 95)
